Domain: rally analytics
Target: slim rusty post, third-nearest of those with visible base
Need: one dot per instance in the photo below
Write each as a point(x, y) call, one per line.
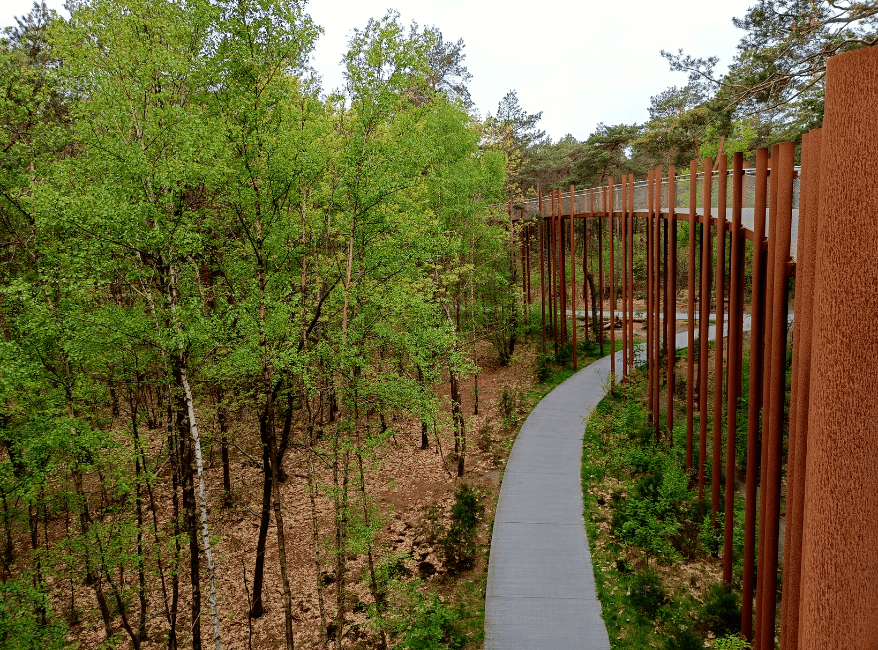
point(722, 197)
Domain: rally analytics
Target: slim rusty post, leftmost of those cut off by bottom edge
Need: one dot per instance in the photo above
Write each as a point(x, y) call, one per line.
point(771, 242)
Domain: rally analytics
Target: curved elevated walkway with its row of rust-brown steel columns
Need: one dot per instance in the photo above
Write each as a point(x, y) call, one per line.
point(816, 226)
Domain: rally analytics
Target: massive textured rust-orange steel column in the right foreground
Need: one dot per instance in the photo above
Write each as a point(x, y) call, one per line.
point(840, 589)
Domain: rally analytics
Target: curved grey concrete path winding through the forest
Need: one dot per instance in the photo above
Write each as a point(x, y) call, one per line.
point(541, 592)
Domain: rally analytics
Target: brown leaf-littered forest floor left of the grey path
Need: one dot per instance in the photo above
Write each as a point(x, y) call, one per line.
point(412, 491)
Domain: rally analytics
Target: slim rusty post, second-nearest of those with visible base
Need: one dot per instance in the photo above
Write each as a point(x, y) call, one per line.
point(733, 381)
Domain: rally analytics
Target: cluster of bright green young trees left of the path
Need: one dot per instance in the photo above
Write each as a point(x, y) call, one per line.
point(194, 237)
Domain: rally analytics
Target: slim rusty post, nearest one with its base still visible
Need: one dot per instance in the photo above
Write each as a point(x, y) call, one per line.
point(757, 329)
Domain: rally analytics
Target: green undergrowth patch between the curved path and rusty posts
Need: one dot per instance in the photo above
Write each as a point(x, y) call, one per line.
point(654, 549)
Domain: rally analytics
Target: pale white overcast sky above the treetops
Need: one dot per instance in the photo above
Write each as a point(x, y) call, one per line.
point(579, 63)
